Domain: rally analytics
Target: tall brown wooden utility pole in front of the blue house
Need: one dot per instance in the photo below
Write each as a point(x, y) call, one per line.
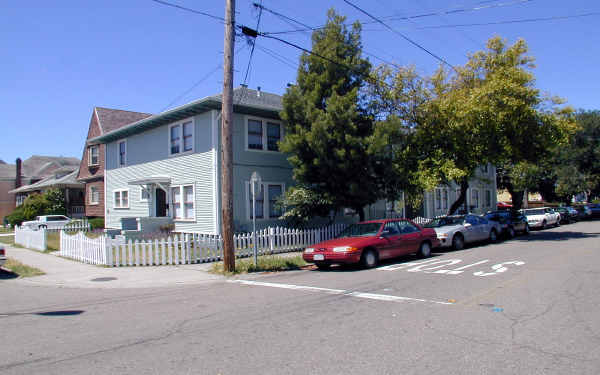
point(226, 134)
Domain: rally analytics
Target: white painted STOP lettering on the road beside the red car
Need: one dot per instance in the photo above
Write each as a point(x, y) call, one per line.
point(434, 265)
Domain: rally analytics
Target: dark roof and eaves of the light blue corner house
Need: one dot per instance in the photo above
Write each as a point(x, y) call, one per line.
point(247, 101)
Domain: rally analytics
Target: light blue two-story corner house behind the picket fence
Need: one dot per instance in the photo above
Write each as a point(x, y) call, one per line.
point(166, 168)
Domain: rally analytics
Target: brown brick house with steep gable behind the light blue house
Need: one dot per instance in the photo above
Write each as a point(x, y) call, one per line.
point(91, 168)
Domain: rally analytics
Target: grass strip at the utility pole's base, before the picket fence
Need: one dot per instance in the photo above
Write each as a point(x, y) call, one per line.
point(267, 263)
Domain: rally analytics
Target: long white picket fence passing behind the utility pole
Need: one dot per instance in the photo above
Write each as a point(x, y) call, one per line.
point(187, 248)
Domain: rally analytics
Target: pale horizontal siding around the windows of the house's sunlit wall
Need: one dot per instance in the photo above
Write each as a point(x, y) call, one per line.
point(148, 155)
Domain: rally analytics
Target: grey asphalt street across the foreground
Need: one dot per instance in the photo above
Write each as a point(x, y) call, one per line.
point(524, 306)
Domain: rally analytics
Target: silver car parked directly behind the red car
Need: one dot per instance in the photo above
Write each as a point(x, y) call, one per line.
point(456, 231)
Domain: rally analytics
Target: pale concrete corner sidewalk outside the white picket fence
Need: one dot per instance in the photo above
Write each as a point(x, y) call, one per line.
point(61, 272)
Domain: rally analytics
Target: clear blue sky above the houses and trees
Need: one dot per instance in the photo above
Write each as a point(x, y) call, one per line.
point(61, 58)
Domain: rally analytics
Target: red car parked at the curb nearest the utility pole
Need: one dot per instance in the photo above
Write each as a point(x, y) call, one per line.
point(371, 241)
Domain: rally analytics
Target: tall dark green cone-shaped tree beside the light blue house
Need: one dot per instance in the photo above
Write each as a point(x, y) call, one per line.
point(326, 121)
